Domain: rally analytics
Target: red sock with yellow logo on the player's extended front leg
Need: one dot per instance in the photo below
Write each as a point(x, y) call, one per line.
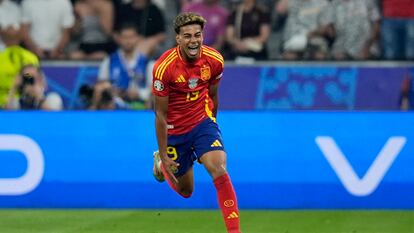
point(228, 203)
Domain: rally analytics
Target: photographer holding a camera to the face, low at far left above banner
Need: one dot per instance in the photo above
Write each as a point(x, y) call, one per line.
point(29, 92)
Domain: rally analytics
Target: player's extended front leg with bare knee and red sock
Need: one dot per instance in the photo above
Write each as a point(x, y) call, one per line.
point(215, 163)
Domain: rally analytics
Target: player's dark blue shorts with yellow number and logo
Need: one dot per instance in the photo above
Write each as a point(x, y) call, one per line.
point(186, 148)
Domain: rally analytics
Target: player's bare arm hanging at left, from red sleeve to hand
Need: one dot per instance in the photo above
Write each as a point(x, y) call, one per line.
point(161, 109)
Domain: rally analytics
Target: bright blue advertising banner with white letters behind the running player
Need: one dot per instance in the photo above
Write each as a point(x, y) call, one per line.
point(329, 160)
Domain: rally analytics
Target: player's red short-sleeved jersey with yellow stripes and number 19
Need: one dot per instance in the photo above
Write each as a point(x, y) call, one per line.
point(187, 85)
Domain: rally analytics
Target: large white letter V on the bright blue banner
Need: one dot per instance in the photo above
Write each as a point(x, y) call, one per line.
point(375, 173)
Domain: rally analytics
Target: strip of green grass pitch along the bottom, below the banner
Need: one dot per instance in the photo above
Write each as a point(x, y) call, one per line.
point(203, 221)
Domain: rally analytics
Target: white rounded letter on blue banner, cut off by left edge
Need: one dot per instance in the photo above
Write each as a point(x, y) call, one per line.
point(35, 165)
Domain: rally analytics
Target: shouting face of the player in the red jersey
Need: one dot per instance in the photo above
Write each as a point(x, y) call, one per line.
point(190, 40)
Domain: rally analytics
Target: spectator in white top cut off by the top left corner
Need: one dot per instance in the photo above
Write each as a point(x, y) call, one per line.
point(10, 15)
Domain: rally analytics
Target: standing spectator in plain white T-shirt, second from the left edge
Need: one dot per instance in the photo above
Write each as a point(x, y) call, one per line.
point(46, 26)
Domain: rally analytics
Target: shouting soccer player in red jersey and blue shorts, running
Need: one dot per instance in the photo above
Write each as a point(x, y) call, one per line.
point(185, 86)
